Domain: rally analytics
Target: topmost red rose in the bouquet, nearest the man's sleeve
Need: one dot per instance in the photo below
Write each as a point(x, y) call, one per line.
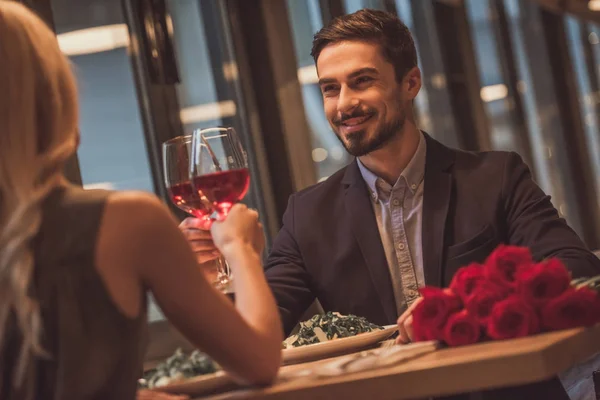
point(503, 263)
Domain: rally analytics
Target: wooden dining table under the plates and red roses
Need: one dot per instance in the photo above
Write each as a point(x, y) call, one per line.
point(446, 371)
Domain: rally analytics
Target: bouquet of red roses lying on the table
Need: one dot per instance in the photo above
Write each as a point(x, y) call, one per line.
point(509, 296)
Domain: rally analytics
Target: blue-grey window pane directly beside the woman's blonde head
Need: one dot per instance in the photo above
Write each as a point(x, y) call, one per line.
point(112, 153)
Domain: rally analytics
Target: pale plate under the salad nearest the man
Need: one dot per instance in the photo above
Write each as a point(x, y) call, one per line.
point(337, 346)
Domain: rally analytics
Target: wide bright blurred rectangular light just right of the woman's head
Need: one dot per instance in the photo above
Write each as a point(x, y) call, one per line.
point(93, 40)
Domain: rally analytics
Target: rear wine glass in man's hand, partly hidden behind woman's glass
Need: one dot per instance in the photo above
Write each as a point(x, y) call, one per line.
point(176, 165)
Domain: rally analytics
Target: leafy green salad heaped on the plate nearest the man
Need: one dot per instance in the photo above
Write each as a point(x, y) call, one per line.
point(329, 326)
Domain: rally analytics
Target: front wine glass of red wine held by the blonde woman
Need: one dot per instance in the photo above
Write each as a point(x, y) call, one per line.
point(219, 170)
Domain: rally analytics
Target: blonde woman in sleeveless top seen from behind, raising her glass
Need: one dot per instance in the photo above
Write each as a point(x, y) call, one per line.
point(74, 276)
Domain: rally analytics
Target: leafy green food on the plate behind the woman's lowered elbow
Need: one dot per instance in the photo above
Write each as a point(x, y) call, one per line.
point(177, 367)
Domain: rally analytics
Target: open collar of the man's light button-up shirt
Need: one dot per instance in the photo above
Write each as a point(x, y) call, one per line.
point(413, 173)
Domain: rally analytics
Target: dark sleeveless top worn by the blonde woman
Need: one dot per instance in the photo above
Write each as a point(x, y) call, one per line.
point(96, 352)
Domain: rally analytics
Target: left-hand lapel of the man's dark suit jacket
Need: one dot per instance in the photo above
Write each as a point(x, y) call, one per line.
point(364, 227)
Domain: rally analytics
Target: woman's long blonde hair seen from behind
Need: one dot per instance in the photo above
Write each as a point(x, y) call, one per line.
point(38, 133)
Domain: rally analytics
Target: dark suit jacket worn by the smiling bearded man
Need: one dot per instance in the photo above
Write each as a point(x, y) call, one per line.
point(329, 246)
